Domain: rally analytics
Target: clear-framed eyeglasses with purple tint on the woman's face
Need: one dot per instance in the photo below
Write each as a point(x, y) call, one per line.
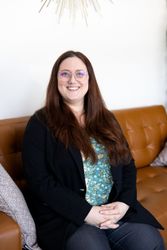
point(66, 75)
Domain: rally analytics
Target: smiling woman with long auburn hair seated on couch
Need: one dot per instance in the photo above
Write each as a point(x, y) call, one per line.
point(80, 172)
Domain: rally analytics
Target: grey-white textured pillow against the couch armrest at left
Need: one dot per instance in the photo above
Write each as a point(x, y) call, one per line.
point(12, 202)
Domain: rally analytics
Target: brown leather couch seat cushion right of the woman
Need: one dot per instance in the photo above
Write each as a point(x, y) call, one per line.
point(152, 192)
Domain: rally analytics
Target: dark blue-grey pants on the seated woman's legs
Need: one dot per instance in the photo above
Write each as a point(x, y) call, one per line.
point(128, 236)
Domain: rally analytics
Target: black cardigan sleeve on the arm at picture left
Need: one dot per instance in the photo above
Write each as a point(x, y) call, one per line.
point(41, 181)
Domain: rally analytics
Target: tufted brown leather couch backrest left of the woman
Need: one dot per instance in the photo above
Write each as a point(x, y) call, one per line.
point(11, 136)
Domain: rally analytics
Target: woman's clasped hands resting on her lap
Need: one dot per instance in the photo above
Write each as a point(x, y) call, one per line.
point(107, 216)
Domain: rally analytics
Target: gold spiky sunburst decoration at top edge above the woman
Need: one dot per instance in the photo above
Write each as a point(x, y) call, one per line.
point(73, 6)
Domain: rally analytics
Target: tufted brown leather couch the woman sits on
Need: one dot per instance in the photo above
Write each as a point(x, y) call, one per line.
point(146, 131)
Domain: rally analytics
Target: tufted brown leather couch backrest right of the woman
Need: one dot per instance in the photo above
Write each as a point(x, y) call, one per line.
point(145, 130)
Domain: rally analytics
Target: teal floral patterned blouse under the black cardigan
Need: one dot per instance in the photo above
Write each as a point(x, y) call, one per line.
point(98, 176)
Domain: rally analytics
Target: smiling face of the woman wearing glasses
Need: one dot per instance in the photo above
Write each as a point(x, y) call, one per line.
point(73, 80)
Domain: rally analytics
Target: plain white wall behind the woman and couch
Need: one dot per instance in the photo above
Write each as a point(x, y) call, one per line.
point(125, 42)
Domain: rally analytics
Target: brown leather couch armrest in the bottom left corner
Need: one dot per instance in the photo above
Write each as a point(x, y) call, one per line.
point(10, 237)
